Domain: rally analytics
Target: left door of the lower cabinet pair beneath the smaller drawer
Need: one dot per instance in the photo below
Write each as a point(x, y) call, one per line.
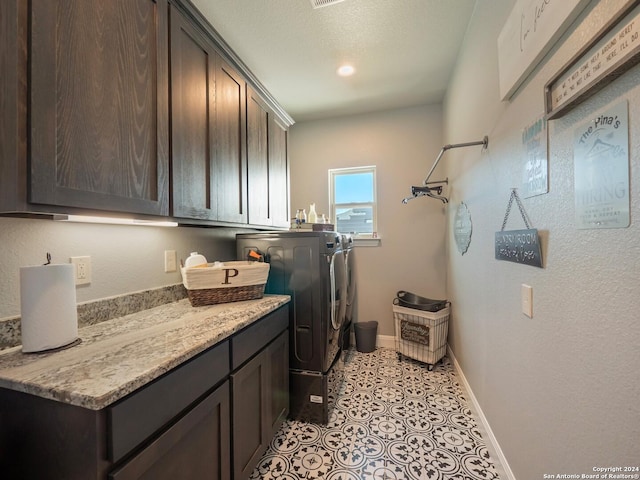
point(251, 407)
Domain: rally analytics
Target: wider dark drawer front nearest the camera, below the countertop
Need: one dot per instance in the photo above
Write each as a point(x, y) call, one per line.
point(135, 418)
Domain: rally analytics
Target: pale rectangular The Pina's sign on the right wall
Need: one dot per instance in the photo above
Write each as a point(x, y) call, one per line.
point(601, 170)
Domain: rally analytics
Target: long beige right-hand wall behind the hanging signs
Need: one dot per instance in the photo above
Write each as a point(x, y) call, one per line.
point(560, 391)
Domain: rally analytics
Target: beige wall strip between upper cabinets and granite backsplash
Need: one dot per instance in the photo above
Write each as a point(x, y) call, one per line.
point(124, 259)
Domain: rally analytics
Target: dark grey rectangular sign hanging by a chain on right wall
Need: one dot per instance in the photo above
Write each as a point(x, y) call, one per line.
point(519, 246)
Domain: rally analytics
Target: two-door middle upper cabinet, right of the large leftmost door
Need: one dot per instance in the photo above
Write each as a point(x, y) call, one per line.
point(208, 118)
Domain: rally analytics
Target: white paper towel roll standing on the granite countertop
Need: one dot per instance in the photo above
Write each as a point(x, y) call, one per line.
point(49, 314)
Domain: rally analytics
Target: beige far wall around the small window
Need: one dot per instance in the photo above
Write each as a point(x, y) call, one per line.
point(402, 144)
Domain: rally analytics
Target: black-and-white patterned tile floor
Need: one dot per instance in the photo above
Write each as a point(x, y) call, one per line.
point(393, 420)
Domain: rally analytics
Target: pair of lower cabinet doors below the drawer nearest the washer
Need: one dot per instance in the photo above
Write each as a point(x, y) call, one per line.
point(260, 392)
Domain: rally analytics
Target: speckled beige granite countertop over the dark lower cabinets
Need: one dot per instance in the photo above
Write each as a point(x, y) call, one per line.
point(118, 356)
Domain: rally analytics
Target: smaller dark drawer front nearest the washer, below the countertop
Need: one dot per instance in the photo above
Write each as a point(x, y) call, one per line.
point(255, 337)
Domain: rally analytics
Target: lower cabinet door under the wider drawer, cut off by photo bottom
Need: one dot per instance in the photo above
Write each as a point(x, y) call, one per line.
point(197, 446)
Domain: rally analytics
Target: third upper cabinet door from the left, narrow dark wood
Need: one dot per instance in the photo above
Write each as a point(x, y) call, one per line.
point(230, 166)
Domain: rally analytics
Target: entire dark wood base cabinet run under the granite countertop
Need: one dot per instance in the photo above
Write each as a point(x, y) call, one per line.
point(210, 418)
